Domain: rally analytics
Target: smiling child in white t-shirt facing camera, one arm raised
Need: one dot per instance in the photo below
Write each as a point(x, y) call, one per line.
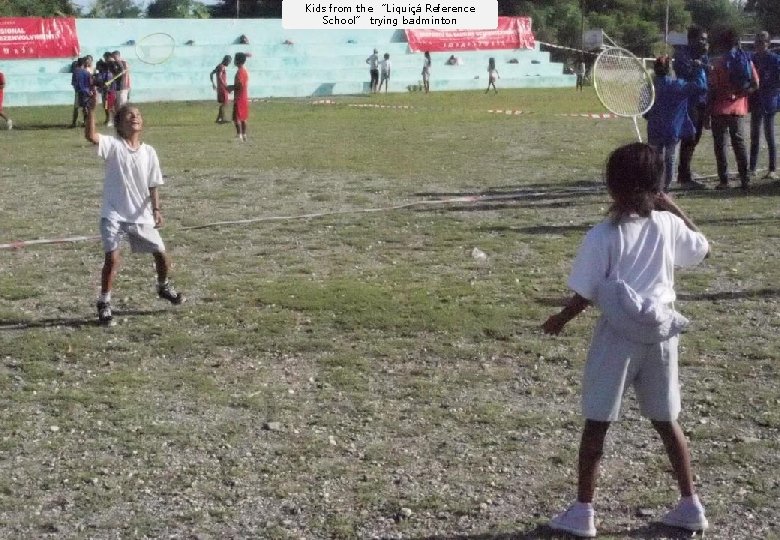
point(131, 203)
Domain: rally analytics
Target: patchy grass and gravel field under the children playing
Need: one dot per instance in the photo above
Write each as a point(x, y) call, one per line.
point(358, 373)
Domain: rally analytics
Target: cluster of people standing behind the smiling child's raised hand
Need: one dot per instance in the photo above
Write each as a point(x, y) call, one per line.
point(107, 82)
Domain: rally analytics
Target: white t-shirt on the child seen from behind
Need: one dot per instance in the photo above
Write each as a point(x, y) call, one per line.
point(640, 251)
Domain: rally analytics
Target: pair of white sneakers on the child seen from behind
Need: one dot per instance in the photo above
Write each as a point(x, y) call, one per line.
point(579, 518)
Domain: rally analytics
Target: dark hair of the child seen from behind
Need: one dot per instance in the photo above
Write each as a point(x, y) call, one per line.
point(634, 176)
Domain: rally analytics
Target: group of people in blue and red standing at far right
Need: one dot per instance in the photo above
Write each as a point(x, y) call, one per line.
point(720, 92)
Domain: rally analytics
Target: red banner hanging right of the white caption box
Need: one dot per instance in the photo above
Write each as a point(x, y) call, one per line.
point(512, 33)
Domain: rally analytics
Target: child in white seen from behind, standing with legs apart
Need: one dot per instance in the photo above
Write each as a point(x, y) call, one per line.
point(625, 266)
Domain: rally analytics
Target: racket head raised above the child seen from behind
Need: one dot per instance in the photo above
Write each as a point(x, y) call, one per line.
point(622, 83)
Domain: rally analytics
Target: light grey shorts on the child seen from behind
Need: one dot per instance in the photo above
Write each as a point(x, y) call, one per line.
point(614, 363)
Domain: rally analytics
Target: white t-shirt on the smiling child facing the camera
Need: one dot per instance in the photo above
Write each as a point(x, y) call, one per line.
point(129, 175)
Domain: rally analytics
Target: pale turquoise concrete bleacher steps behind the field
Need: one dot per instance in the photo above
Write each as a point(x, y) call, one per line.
point(317, 63)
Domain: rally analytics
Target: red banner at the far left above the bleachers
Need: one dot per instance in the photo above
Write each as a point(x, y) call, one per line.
point(32, 37)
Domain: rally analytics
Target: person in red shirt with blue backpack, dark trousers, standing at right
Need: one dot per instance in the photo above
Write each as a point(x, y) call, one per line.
point(728, 107)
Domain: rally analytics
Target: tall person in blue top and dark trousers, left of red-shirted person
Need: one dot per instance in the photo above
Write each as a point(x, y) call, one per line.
point(691, 64)
